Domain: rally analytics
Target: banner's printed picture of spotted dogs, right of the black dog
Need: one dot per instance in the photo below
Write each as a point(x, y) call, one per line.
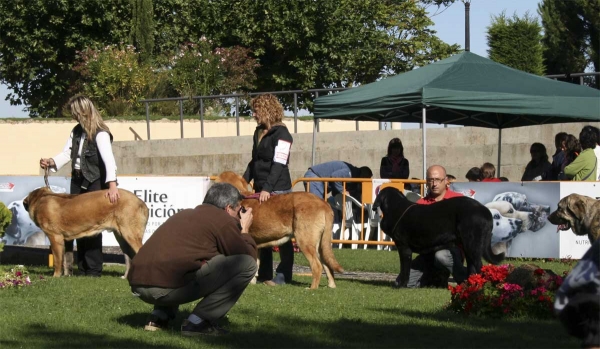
point(520, 212)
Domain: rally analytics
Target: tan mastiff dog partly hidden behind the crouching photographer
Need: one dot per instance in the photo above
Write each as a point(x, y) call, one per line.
point(301, 215)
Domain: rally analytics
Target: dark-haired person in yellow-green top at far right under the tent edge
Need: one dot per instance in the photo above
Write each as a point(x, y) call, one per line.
point(583, 167)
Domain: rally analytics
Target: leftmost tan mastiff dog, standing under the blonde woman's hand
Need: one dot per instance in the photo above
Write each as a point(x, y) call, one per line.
point(67, 217)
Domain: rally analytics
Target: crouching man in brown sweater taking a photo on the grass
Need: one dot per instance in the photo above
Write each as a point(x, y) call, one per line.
point(205, 252)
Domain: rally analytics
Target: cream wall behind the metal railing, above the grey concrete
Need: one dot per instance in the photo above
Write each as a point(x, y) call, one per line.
point(26, 141)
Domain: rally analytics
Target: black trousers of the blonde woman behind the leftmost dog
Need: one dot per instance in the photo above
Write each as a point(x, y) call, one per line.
point(89, 249)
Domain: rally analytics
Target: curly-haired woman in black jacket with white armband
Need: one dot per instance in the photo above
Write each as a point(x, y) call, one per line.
point(268, 168)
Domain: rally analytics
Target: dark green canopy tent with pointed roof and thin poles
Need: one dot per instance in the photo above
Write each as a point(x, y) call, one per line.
point(467, 90)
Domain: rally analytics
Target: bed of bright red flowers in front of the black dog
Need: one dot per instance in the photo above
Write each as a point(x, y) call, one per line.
point(489, 294)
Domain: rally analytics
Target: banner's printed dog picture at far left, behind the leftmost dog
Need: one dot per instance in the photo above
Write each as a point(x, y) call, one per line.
point(13, 189)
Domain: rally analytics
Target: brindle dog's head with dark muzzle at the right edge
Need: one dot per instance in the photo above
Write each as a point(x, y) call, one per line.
point(579, 213)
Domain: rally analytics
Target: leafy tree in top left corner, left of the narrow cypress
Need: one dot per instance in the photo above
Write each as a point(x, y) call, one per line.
point(39, 40)
